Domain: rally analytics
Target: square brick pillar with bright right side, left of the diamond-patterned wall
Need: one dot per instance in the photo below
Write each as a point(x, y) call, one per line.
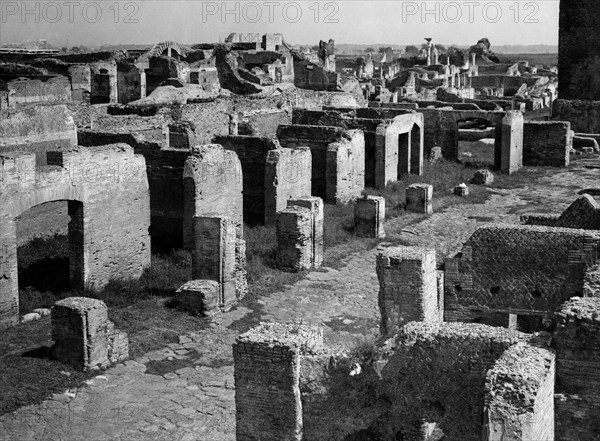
point(408, 287)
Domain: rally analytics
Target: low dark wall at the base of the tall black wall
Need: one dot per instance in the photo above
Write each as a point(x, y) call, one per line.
point(584, 115)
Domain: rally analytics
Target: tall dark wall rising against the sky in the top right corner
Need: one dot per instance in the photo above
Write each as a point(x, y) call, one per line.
point(578, 49)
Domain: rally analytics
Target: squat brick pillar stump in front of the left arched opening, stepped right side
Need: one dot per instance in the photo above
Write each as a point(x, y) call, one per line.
point(84, 337)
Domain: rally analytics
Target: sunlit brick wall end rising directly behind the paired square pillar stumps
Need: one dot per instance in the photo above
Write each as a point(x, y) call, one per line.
point(287, 176)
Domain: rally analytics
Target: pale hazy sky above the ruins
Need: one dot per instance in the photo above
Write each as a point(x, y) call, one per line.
point(94, 23)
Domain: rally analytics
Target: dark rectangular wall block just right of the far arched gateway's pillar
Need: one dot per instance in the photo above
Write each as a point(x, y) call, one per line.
point(547, 143)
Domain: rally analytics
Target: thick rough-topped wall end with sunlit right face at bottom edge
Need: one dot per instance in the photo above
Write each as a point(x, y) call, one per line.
point(519, 395)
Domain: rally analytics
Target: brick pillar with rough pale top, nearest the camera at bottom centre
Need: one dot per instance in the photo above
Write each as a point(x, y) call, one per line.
point(267, 381)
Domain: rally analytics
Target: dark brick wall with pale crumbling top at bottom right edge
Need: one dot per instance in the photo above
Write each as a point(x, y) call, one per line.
point(577, 398)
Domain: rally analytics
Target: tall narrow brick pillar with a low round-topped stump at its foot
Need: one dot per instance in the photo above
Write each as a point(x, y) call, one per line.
point(214, 256)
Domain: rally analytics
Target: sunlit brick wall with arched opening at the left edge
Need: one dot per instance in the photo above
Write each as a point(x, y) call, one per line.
point(109, 205)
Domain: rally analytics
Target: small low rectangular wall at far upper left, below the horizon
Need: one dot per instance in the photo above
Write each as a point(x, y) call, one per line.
point(28, 91)
